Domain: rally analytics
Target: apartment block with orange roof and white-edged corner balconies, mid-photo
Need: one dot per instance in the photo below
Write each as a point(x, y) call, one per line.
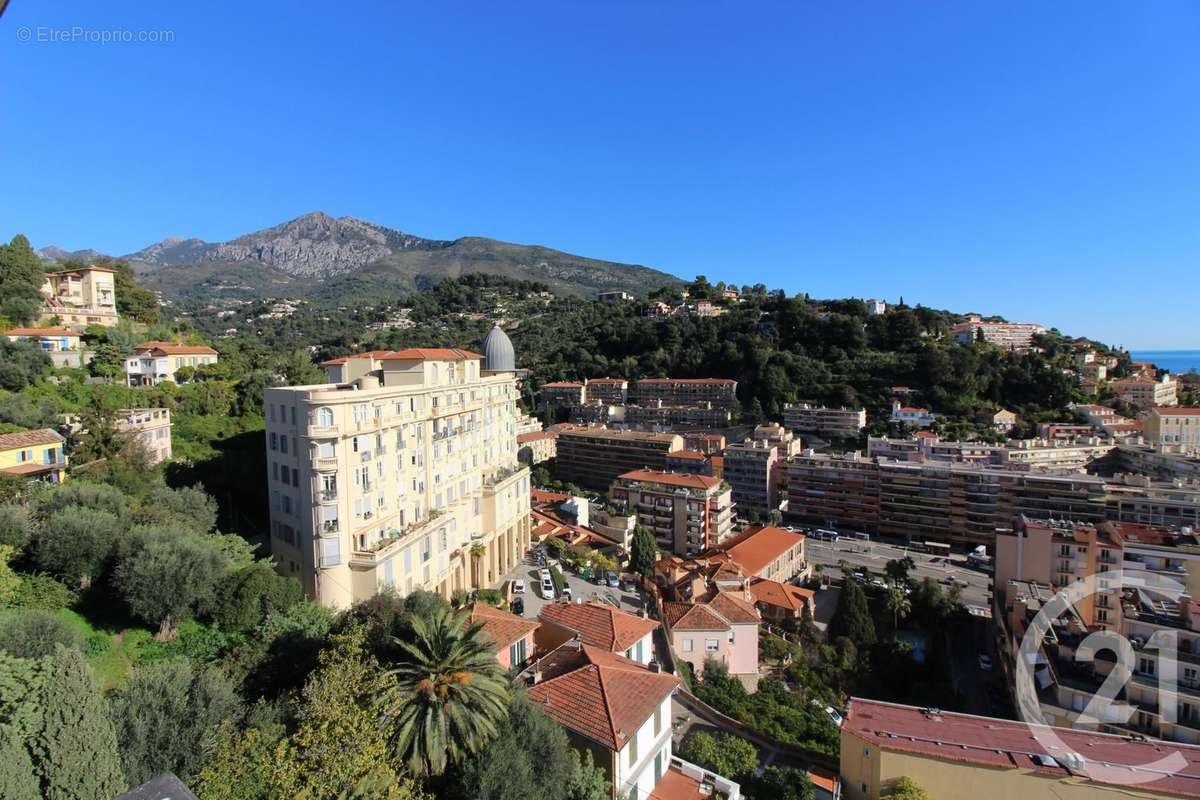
point(688, 514)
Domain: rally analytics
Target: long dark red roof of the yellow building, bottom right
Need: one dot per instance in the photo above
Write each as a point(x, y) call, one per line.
point(1004, 744)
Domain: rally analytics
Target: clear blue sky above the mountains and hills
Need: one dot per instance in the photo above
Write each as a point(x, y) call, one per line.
point(1028, 159)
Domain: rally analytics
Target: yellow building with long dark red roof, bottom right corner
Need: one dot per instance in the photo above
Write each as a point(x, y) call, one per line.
point(968, 757)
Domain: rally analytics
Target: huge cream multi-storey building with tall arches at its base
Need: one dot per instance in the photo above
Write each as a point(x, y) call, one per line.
point(404, 474)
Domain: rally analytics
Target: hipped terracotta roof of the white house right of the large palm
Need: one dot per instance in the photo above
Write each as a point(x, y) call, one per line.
point(607, 700)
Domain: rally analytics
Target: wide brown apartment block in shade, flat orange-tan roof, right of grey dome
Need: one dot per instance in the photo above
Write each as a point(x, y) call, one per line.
point(595, 458)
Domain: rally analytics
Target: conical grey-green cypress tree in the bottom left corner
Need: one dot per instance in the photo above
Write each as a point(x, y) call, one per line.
point(75, 751)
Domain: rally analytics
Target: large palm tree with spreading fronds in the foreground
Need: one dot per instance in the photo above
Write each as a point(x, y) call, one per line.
point(449, 696)
